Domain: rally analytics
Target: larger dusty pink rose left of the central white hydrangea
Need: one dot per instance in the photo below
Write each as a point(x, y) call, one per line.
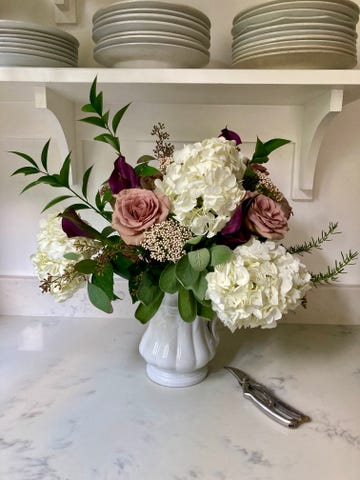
point(136, 210)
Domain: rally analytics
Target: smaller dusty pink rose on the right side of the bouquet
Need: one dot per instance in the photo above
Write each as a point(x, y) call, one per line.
point(267, 218)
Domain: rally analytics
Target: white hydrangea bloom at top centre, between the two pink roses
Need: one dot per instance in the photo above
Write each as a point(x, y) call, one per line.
point(203, 184)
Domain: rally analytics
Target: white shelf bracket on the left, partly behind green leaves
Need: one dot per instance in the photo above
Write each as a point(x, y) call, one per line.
point(62, 118)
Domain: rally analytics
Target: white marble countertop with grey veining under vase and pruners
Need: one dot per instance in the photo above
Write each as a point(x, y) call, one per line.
point(75, 404)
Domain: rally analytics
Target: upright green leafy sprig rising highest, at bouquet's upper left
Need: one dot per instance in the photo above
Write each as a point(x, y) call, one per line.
point(101, 119)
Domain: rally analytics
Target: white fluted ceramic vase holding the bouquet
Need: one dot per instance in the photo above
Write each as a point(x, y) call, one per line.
point(176, 352)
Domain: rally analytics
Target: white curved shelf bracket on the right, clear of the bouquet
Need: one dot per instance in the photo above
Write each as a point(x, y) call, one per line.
point(317, 115)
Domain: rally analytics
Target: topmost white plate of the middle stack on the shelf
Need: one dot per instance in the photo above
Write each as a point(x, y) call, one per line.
point(136, 5)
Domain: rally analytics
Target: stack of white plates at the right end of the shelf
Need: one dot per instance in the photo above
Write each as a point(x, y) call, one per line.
point(296, 34)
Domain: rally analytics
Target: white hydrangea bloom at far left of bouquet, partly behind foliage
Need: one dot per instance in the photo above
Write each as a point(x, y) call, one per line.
point(53, 244)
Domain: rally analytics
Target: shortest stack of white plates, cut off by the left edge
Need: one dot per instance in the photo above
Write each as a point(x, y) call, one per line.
point(30, 45)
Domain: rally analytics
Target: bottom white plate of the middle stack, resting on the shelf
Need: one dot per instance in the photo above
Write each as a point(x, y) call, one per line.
point(151, 56)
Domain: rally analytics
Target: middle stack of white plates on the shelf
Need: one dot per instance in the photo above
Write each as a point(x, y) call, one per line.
point(144, 33)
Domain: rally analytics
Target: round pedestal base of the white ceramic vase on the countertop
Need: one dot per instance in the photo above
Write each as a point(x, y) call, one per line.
point(168, 378)
